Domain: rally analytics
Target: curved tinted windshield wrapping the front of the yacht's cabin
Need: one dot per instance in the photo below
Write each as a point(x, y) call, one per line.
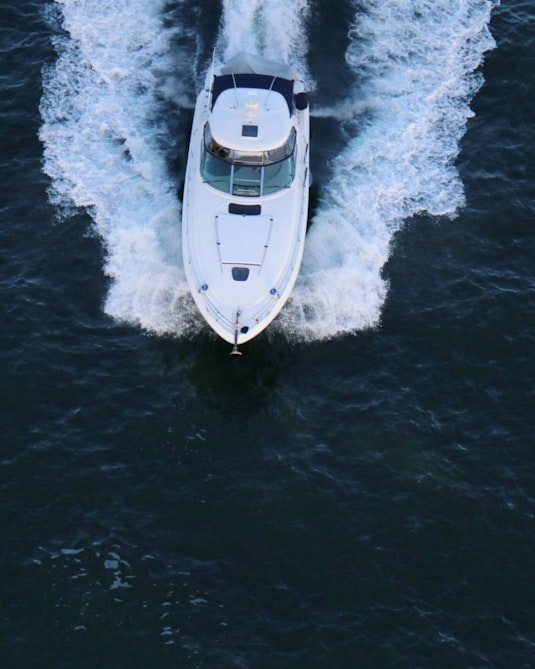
point(248, 173)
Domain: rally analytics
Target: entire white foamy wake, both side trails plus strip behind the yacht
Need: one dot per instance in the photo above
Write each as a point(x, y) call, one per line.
point(414, 65)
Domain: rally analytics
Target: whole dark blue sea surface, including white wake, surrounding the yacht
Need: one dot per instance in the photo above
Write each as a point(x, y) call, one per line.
point(356, 491)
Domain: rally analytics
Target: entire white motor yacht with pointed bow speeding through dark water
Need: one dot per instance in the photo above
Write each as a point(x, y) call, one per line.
point(245, 202)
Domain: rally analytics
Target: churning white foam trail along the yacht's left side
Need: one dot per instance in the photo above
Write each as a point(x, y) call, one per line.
point(104, 152)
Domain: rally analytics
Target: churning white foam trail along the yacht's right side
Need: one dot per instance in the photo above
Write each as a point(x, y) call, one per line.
point(416, 63)
